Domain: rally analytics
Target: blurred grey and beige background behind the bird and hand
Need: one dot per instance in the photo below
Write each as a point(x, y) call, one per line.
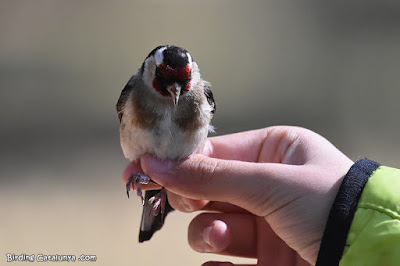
point(333, 67)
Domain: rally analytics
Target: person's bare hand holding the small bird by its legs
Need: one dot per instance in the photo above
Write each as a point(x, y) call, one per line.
point(273, 188)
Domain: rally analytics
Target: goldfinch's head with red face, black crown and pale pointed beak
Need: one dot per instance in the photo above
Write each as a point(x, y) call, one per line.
point(170, 71)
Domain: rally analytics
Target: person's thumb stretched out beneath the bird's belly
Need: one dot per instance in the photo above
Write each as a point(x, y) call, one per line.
point(202, 177)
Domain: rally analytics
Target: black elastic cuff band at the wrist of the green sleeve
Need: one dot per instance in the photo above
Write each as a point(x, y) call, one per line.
point(342, 212)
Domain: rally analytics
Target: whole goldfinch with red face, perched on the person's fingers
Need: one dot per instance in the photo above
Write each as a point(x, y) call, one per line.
point(164, 110)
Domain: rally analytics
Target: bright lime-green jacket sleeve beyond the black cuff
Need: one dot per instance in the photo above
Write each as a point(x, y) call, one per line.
point(374, 236)
